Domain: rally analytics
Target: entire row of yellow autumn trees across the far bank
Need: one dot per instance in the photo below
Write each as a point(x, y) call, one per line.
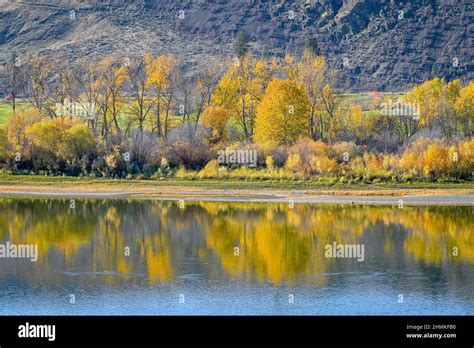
point(147, 109)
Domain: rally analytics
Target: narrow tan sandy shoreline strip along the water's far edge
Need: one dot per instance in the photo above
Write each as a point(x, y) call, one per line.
point(370, 197)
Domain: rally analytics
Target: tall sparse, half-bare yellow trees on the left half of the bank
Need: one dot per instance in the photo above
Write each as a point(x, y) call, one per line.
point(129, 94)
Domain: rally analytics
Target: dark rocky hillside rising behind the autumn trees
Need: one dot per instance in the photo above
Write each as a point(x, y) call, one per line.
point(376, 44)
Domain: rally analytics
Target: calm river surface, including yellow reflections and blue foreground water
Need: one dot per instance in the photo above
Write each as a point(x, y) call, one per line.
point(234, 258)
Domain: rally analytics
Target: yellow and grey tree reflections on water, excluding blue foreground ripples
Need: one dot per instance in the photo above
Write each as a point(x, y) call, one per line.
point(145, 244)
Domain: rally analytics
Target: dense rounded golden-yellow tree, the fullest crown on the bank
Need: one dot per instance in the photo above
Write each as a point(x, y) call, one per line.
point(282, 115)
